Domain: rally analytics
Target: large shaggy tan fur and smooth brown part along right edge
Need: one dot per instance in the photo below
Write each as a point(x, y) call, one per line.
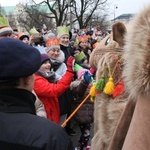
point(132, 132)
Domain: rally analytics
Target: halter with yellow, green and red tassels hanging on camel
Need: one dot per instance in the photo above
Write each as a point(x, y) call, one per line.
point(109, 87)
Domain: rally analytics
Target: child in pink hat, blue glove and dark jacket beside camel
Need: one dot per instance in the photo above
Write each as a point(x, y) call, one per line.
point(84, 116)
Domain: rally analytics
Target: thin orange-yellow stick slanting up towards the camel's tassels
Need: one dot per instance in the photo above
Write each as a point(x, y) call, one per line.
point(72, 114)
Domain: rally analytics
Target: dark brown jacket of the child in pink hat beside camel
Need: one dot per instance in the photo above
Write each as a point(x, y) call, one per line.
point(85, 114)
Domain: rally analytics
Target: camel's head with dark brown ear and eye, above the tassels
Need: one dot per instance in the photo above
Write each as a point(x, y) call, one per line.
point(113, 41)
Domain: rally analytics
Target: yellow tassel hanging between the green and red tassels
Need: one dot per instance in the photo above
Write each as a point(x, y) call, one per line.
point(109, 87)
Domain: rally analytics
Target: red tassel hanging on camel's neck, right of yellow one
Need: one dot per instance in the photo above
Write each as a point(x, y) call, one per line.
point(118, 89)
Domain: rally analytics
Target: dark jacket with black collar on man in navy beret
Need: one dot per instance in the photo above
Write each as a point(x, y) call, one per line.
point(21, 129)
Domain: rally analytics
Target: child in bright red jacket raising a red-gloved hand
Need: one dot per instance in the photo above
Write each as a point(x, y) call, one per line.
point(47, 91)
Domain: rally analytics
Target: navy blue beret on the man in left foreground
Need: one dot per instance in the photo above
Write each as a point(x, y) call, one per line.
point(17, 59)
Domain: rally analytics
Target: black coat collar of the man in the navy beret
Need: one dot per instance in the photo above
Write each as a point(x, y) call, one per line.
point(17, 101)
